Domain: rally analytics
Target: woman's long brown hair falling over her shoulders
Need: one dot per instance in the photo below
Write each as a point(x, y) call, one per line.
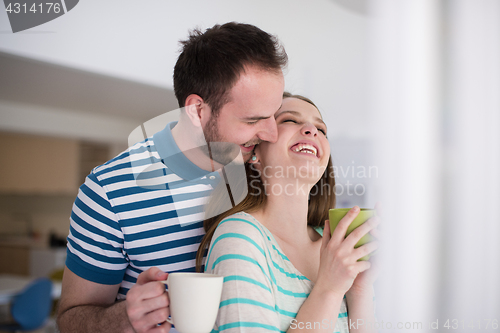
point(321, 199)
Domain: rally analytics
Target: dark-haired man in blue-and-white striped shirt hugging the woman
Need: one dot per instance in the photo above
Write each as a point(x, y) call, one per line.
point(128, 229)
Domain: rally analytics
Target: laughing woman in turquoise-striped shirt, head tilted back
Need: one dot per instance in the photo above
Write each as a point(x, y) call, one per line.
point(282, 272)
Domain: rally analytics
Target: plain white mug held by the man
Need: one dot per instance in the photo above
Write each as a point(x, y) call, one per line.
point(194, 301)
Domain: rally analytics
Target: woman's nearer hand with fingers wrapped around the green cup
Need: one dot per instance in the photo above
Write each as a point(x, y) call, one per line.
point(339, 265)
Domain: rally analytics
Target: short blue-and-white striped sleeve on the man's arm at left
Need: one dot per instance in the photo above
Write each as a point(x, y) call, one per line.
point(95, 240)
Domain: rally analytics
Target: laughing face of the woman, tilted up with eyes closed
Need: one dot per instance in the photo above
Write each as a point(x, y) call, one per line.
point(302, 146)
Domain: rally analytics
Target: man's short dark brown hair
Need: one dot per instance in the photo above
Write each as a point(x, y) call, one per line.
point(210, 62)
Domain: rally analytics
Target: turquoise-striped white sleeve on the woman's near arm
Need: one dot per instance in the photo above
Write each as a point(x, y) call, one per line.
point(238, 252)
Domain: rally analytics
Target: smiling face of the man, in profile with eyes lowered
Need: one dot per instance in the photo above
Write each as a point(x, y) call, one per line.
point(248, 117)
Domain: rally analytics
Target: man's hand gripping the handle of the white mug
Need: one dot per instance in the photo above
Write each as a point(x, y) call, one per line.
point(148, 303)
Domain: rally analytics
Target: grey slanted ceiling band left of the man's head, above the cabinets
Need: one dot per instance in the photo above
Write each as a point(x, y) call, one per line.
point(28, 81)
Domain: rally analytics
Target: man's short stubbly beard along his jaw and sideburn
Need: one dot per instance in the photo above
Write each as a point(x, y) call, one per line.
point(216, 148)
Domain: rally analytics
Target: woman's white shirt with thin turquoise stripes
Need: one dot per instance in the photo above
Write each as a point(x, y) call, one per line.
point(262, 290)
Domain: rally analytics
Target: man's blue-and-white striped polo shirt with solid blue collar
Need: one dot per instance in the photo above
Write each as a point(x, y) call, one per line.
point(141, 209)
